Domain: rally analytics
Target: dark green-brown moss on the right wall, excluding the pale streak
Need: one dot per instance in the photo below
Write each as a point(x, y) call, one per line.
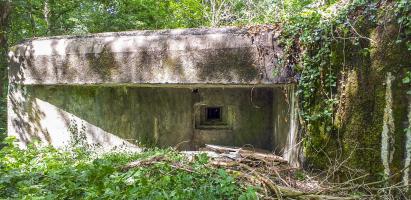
point(361, 70)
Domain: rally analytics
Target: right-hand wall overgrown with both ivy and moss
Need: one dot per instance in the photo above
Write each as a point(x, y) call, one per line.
point(346, 50)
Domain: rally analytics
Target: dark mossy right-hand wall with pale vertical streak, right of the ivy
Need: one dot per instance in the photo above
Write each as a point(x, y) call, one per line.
point(371, 114)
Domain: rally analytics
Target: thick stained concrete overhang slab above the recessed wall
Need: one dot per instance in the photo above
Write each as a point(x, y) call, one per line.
point(224, 55)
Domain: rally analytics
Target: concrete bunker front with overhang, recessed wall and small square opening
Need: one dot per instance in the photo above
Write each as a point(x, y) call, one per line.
point(180, 88)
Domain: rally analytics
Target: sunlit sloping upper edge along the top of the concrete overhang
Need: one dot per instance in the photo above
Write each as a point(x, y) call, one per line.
point(131, 41)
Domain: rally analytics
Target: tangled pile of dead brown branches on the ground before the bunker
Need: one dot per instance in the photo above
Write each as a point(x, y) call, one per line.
point(262, 169)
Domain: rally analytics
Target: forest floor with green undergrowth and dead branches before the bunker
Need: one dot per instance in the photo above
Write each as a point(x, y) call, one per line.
point(213, 172)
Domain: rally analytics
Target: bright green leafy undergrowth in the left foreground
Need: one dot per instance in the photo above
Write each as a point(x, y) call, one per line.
point(49, 173)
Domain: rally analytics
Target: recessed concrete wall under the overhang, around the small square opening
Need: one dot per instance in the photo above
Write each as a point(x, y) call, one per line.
point(161, 116)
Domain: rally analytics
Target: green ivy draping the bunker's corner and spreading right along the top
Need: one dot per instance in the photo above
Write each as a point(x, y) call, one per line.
point(313, 35)
